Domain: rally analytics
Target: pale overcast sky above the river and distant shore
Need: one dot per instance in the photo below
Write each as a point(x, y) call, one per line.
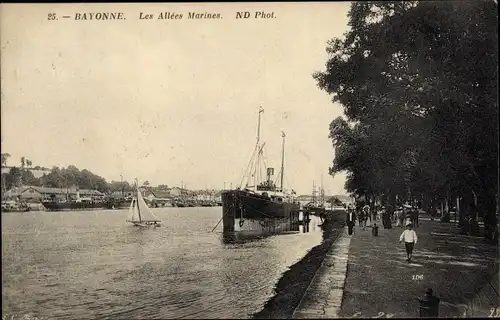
point(170, 101)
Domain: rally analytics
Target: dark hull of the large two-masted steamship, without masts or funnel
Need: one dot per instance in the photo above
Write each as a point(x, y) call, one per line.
point(253, 213)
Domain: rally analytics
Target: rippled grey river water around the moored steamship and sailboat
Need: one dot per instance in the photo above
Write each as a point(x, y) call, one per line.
point(92, 264)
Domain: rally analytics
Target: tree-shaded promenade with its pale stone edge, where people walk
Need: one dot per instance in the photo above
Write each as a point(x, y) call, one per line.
point(367, 276)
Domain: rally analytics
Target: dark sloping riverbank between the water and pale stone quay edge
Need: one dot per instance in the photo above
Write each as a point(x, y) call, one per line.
point(293, 284)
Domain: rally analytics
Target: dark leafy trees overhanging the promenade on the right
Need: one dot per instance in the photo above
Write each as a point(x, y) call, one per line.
point(418, 82)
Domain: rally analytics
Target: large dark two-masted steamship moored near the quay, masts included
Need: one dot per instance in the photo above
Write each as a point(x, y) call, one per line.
point(261, 207)
